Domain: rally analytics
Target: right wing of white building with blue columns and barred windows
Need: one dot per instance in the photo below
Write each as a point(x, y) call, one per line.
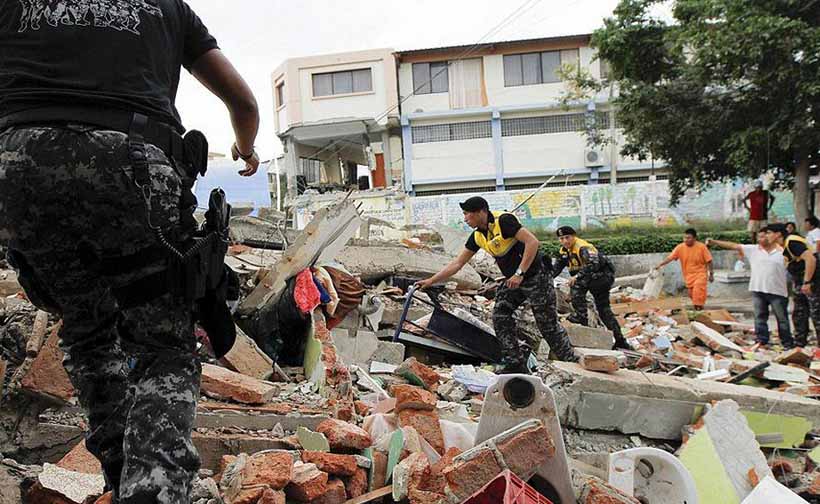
point(489, 118)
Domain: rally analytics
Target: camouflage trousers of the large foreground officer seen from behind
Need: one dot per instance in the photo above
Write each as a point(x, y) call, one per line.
point(67, 204)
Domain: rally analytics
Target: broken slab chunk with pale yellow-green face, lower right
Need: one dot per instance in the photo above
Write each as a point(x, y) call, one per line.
point(721, 455)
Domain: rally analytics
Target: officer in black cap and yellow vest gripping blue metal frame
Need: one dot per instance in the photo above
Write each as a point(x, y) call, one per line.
point(528, 278)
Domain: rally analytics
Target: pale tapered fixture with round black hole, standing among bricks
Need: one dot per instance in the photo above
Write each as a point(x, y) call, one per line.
point(512, 399)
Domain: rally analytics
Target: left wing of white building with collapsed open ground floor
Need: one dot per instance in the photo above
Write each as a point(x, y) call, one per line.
point(335, 114)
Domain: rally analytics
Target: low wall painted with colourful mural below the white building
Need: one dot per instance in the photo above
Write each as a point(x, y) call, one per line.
point(579, 206)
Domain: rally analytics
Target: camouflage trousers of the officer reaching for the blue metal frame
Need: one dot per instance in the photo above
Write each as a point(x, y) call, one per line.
point(540, 293)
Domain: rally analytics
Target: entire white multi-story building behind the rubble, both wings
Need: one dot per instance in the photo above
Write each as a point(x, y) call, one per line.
point(477, 118)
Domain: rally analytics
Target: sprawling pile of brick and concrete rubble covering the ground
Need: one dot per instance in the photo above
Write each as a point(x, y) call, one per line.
point(372, 403)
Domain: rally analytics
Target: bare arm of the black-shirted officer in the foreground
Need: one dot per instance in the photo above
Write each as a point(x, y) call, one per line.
point(217, 74)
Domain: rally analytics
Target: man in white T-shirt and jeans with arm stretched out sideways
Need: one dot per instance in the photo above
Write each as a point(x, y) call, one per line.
point(767, 285)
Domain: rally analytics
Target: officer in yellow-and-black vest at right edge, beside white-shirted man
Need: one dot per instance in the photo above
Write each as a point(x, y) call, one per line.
point(801, 263)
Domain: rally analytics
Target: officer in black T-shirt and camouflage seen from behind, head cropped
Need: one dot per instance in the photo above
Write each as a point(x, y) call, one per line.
point(94, 180)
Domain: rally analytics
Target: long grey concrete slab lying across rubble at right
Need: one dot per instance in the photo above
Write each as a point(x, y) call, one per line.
point(648, 395)
